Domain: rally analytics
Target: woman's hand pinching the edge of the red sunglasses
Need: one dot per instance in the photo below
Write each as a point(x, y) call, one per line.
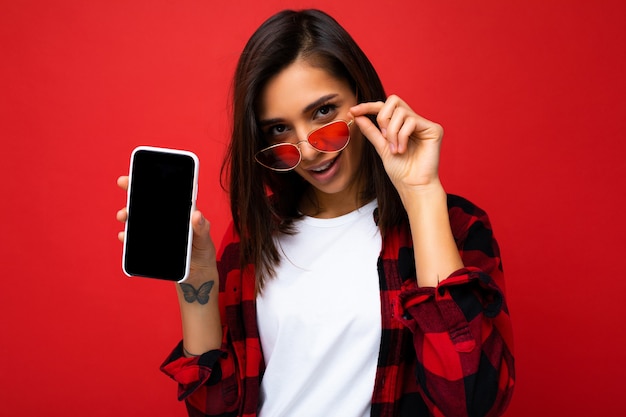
point(408, 144)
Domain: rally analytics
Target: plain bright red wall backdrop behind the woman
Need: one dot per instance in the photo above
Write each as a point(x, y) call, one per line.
point(531, 94)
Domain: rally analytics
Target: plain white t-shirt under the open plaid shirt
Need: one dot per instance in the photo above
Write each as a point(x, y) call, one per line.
point(319, 319)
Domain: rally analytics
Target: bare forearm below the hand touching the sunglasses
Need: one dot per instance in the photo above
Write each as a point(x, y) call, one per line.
point(436, 253)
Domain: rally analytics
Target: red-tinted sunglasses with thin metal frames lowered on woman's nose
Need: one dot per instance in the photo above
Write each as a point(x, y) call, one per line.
point(282, 157)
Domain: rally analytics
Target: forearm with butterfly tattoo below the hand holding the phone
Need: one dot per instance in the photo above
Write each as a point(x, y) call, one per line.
point(201, 324)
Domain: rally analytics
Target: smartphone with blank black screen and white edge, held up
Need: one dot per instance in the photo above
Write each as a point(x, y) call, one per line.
point(162, 190)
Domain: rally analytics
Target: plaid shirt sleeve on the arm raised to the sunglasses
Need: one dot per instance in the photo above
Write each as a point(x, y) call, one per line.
point(462, 330)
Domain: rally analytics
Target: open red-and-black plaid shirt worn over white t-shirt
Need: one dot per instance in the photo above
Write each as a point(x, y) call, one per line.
point(445, 351)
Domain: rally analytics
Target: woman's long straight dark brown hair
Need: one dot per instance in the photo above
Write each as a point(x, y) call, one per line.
point(263, 202)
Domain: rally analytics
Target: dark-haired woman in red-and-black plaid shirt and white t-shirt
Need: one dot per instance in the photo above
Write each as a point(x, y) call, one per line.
point(350, 284)
